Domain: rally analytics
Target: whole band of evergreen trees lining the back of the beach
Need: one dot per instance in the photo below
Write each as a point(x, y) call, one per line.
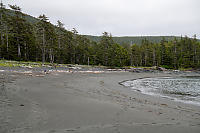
point(42, 41)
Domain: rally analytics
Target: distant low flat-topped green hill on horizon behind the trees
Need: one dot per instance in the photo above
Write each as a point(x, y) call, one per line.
point(134, 39)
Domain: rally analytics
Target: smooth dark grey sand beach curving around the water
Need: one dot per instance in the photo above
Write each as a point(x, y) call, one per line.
point(89, 103)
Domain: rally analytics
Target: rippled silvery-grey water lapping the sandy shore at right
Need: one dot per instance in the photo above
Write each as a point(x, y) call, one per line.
point(184, 89)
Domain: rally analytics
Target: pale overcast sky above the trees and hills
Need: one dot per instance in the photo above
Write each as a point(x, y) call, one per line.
point(120, 17)
